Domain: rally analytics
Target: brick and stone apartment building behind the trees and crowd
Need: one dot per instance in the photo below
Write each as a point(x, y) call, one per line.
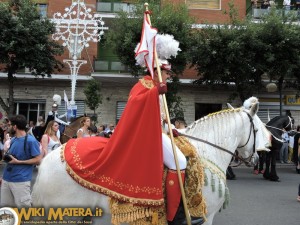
point(33, 97)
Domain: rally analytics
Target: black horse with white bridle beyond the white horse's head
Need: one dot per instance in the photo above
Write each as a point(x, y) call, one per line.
point(276, 126)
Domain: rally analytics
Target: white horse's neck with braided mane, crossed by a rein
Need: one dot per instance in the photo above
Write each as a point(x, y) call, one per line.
point(223, 130)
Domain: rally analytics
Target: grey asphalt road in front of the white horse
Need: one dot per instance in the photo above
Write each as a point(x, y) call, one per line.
point(255, 201)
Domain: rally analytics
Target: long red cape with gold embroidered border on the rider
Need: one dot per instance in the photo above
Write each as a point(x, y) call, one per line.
point(129, 165)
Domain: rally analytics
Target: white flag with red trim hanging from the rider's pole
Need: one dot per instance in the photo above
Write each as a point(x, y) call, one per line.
point(146, 47)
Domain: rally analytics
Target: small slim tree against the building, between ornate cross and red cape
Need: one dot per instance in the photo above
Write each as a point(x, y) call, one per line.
point(93, 96)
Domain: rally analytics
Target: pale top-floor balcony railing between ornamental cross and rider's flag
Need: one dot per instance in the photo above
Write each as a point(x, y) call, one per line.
point(114, 7)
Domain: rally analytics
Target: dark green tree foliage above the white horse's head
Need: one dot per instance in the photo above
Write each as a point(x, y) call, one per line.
point(243, 53)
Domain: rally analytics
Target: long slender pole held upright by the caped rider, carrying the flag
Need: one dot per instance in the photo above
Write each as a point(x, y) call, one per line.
point(187, 215)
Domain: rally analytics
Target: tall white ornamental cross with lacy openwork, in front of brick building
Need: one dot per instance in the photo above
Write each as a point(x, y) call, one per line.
point(76, 28)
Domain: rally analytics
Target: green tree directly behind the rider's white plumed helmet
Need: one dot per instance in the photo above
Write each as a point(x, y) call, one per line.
point(168, 18)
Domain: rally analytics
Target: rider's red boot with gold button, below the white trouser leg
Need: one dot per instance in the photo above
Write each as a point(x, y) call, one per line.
point(175, 209)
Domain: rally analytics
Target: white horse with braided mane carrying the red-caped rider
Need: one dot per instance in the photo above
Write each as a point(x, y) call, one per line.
point(228, 129)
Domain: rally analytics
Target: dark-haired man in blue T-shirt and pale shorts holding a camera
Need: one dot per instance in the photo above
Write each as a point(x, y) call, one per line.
point(17, 175)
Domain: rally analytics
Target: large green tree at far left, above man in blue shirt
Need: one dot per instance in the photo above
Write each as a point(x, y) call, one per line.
point(25, 42)
